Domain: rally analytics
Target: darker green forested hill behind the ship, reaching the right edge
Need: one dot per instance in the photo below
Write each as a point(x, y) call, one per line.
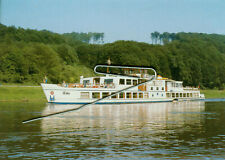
point(196, 59)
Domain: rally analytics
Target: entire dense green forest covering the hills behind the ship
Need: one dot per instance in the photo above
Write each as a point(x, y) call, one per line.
point(26, 56)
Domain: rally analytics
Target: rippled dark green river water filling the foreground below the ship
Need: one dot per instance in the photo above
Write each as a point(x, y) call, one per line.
point(181, 130)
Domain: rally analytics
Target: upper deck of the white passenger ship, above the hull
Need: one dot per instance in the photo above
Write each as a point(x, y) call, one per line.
point(121, 82)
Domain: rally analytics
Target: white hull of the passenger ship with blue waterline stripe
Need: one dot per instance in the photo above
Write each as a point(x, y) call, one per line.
point(63, 95)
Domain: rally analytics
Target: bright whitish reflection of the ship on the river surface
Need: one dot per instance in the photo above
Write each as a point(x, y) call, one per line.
point(151, 116)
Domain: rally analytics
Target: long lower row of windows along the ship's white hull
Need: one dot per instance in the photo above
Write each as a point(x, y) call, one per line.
point(86, 95)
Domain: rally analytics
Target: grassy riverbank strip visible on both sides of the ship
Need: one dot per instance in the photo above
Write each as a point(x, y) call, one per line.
point(20, 93)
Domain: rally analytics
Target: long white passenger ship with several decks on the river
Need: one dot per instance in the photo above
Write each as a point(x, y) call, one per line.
point(93, 88)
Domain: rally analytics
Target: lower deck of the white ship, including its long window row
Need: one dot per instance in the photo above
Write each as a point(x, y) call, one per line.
point(81, 97)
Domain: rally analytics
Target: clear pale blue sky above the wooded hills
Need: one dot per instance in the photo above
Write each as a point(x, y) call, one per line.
point(118, 19)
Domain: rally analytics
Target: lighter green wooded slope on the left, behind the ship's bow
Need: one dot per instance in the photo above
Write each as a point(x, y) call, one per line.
point(26, 56)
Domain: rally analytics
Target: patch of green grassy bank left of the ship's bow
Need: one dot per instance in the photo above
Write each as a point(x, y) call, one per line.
point(22, 94)
